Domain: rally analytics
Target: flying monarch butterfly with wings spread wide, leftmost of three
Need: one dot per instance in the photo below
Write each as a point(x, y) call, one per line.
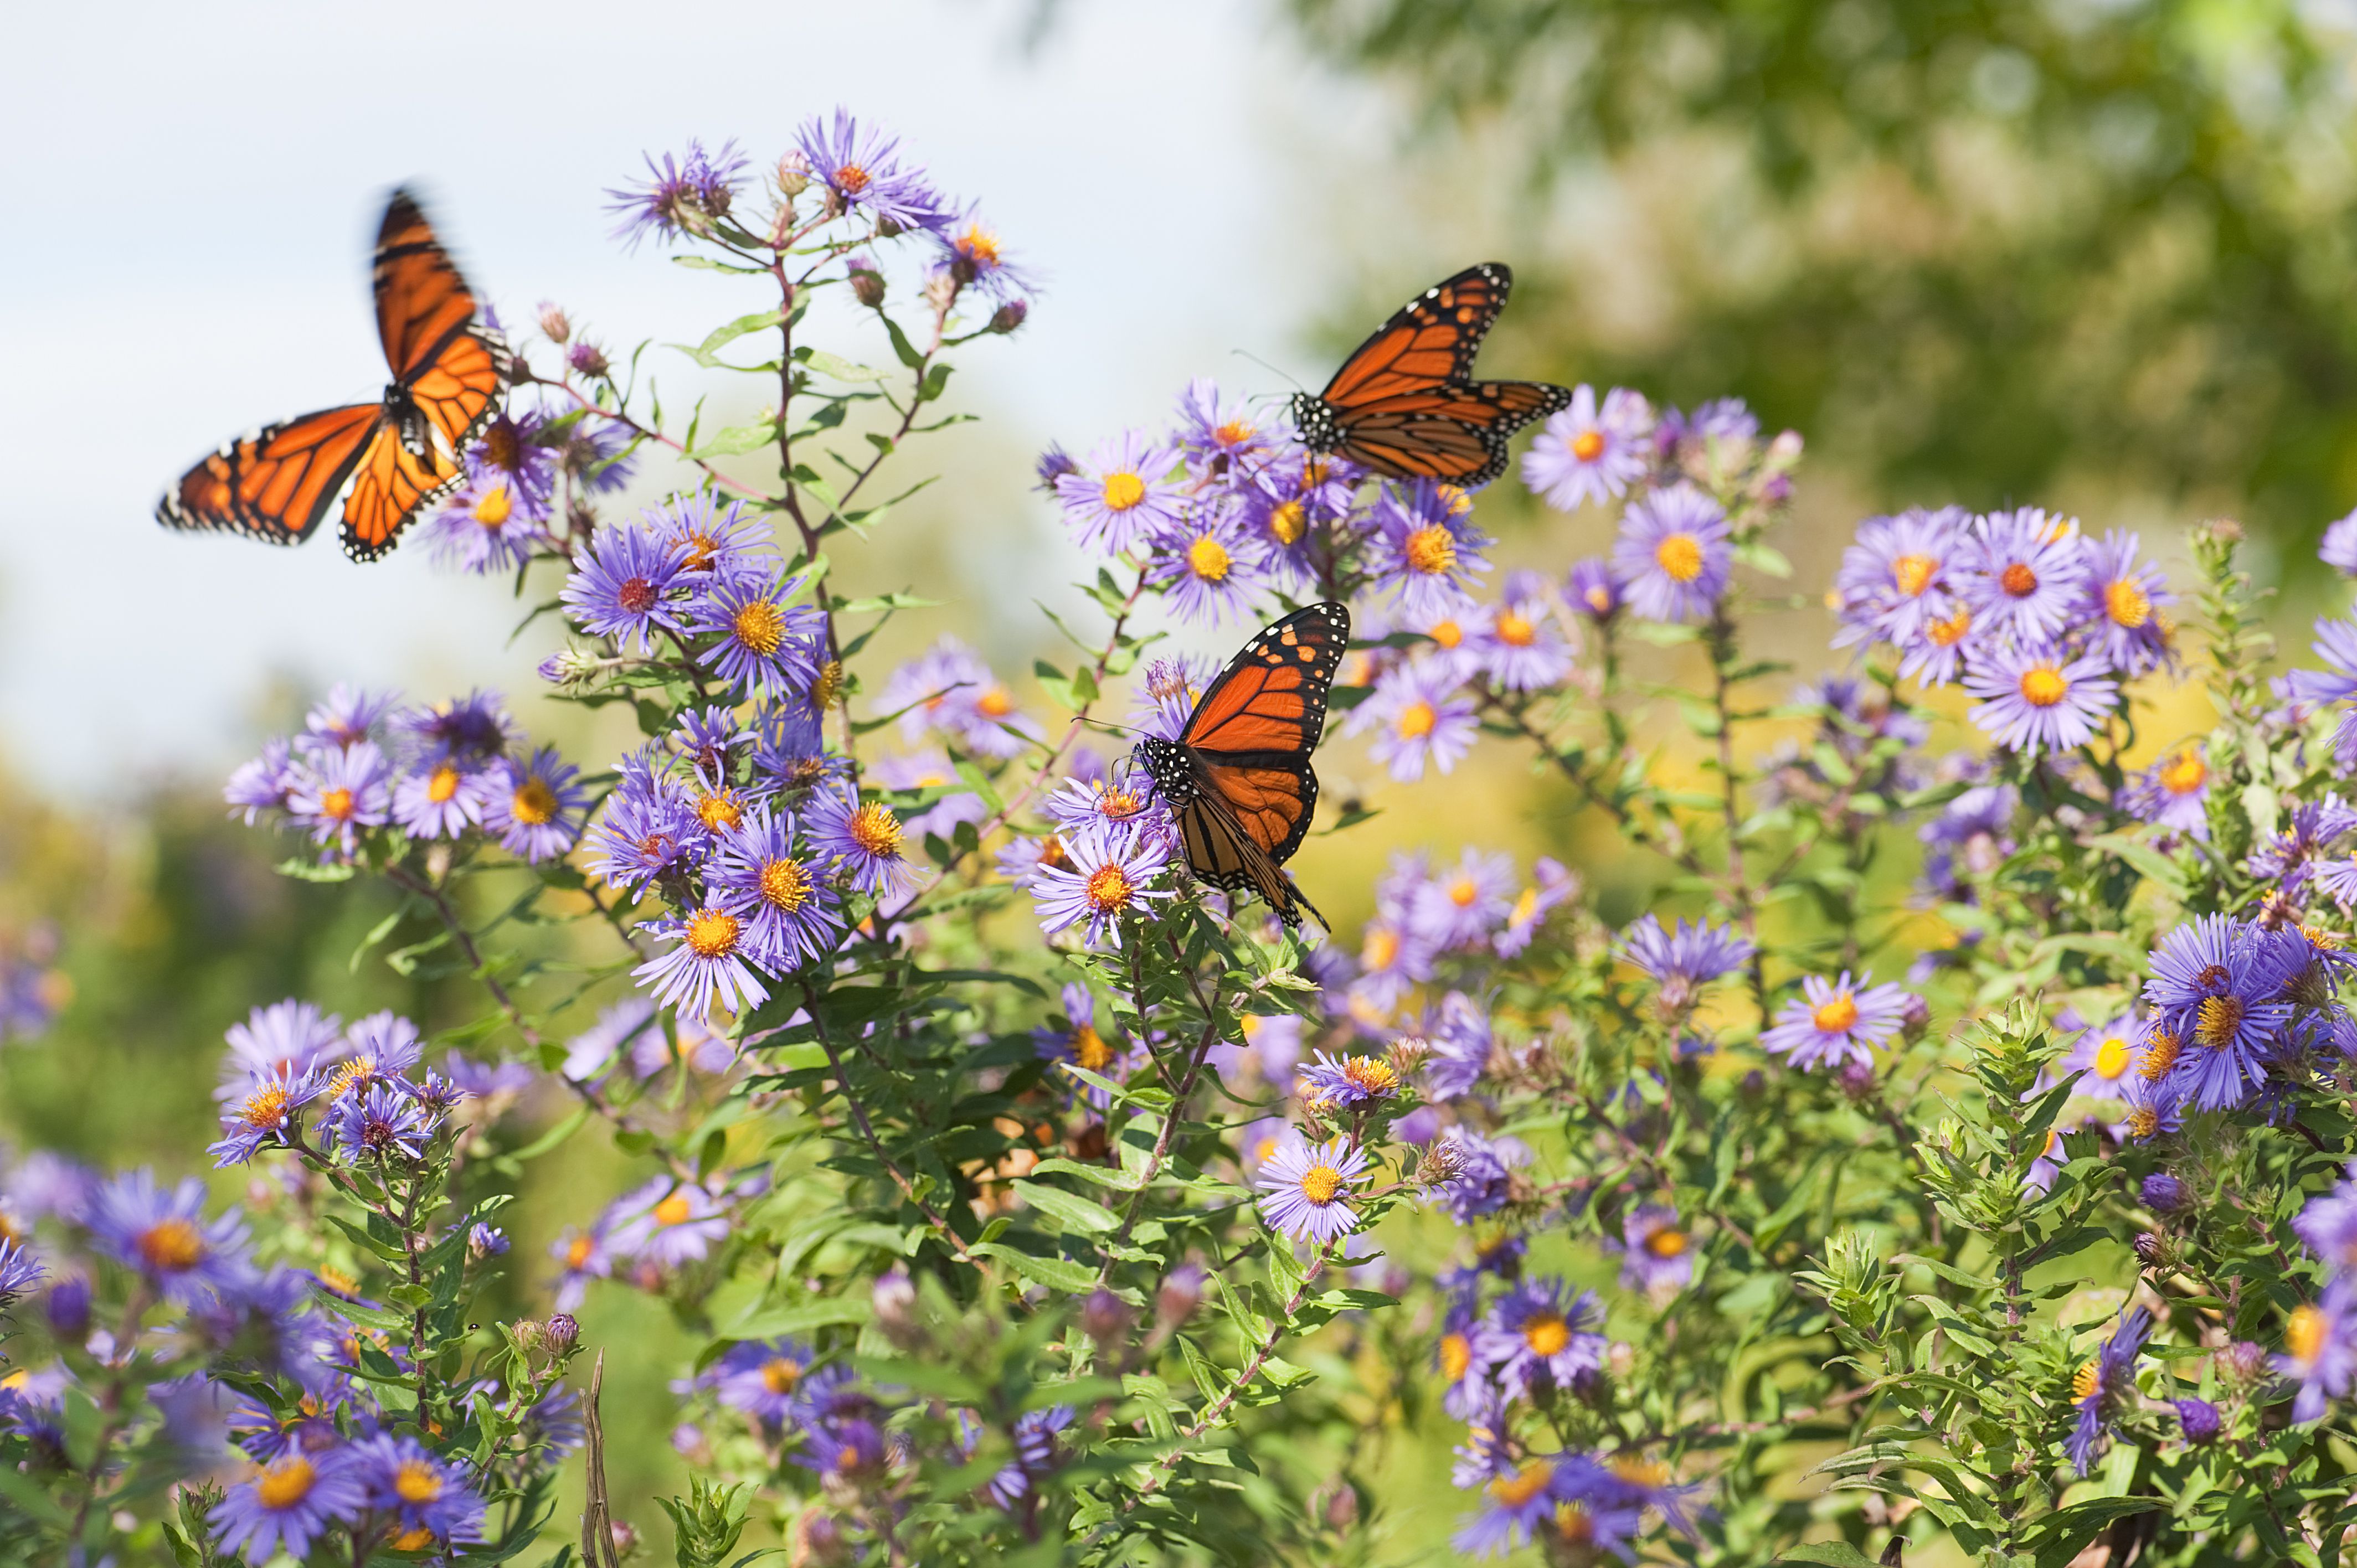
point(385, 459)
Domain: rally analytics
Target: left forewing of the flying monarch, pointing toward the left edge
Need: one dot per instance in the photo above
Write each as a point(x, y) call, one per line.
point(279, 482)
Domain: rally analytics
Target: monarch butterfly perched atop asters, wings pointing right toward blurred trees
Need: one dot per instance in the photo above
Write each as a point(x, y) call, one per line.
point(1406, 404)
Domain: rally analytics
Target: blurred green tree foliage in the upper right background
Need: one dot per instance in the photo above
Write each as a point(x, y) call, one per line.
point(1981, 246)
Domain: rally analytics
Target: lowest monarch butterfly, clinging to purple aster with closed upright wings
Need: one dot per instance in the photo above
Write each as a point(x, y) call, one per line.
point(1239, 779)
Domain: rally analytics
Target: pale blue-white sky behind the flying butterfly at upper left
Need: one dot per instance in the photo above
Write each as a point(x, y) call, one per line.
point(190, 195)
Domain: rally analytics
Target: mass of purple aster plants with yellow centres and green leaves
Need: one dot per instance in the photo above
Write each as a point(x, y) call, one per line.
point(1950, 1152)
